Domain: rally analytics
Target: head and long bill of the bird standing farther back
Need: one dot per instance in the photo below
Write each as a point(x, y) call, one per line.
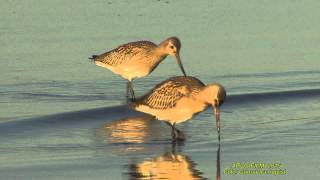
point(171, 46)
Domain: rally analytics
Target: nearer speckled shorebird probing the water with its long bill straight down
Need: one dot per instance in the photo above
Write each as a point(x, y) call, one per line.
point(178, 99)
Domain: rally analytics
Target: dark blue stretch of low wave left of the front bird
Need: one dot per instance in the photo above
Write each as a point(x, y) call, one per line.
point(90, 118)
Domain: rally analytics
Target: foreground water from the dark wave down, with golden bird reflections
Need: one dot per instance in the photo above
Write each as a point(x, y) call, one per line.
point(116, 143)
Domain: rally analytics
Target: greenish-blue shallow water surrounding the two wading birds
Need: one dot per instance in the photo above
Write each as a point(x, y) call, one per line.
point(61, 117)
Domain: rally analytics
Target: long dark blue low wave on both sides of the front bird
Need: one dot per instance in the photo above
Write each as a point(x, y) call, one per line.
point(93, 118)
